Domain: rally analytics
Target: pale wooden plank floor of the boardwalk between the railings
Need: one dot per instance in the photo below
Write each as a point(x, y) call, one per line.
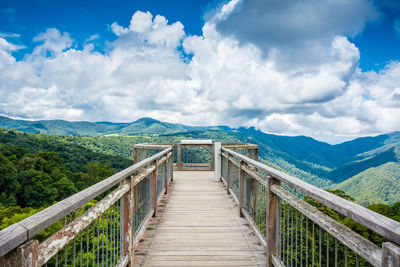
point(199, 225)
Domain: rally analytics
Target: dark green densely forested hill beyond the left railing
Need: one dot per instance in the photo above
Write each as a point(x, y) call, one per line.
point(37, 170)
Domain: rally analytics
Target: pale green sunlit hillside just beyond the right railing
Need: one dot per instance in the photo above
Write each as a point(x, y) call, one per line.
point(376, 185)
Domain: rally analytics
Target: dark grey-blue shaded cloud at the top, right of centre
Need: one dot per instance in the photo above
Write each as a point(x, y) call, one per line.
point(295, 32)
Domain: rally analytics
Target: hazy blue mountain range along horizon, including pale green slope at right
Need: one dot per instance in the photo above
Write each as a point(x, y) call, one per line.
point(367, 168)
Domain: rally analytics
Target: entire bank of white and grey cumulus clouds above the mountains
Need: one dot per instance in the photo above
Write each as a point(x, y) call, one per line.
point(232, 77)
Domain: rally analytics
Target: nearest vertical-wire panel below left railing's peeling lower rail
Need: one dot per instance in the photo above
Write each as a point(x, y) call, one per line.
point(99, 244)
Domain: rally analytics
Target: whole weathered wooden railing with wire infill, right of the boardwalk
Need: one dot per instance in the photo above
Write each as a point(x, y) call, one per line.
point(295, 233)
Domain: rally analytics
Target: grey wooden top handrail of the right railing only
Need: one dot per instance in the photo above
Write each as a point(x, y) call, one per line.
point(376, 222)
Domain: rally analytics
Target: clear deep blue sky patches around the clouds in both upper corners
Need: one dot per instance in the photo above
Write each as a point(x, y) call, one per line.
point(378, 42)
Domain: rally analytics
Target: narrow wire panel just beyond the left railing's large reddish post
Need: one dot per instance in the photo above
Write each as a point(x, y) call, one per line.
point(143, 205)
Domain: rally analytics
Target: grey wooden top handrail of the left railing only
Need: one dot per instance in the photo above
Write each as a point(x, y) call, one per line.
point(16, 234)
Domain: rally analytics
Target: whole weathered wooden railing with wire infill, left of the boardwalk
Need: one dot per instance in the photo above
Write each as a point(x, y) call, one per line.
point(103, 235)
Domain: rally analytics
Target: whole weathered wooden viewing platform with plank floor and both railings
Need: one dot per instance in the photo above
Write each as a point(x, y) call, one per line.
point(199, 203)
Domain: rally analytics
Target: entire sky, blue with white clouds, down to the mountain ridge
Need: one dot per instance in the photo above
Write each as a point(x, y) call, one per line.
point(329, 69)
